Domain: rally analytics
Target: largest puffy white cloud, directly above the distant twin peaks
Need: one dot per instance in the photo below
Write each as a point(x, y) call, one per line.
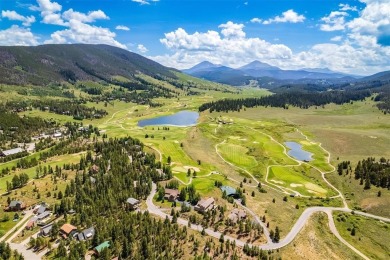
point(230, 46)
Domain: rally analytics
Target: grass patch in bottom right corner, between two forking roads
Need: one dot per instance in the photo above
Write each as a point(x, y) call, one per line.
point(371, 236)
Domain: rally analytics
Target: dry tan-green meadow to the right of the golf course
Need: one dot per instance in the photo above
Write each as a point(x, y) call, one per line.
point(349, 132)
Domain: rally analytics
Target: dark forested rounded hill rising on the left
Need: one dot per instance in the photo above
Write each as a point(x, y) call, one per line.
point(71, 62)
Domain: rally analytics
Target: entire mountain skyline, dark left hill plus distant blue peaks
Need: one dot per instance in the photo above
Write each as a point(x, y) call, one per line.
point(41, 65)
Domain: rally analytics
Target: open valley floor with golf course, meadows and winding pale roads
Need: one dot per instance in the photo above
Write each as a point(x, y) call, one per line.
point(247, 150)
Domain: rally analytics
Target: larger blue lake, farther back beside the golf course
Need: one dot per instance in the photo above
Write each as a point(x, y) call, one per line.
point(182, 118)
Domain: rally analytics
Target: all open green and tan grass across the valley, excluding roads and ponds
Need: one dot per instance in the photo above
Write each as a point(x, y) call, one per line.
point(254, 141)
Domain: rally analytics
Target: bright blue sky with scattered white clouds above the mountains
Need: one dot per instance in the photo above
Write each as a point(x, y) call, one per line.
point(350, 36)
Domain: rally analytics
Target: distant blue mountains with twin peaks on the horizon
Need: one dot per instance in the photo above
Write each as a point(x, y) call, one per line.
point(257, 70)
